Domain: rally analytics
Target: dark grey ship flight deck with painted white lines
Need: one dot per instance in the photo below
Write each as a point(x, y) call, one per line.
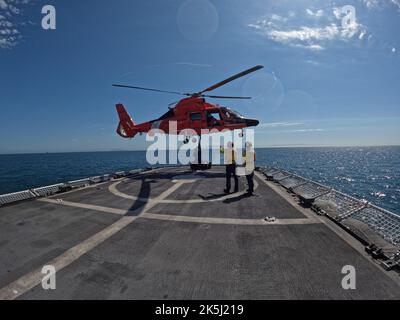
point(171, 234)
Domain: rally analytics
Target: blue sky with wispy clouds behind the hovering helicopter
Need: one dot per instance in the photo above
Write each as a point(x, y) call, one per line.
point(322, 84)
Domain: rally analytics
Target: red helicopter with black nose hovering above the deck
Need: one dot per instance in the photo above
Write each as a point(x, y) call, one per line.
point(192, 112)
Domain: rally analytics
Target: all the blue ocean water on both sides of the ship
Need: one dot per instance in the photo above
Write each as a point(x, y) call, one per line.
point(371, 173)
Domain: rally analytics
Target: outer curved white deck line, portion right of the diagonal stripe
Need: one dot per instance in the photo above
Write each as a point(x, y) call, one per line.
point(232, 221)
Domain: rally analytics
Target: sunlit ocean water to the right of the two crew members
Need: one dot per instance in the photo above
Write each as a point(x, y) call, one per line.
point(370, 173)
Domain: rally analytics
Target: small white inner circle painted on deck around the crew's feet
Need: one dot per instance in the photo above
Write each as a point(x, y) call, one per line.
point(113, 189)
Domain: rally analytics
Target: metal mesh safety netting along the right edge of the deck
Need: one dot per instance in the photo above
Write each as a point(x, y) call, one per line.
point(377, 228)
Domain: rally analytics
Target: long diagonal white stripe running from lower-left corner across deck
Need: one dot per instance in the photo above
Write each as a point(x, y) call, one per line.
point(34, 278)
